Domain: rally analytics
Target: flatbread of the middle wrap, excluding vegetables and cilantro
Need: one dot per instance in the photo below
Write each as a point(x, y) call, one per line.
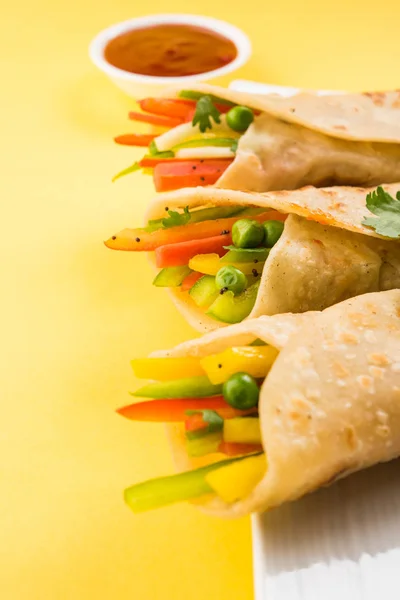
point(324, 255)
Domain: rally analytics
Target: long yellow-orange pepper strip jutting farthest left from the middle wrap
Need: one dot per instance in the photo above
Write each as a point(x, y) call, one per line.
point(140, 240)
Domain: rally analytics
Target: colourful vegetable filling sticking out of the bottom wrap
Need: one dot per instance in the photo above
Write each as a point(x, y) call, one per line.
point(217, 406)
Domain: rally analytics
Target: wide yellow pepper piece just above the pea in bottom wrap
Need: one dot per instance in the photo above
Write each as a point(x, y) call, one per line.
point(254, 360)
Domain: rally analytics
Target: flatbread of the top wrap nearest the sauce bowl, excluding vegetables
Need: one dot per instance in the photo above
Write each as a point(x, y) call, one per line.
point(347, 139)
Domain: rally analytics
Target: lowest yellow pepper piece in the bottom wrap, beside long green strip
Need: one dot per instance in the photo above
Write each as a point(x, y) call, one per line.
point(237, 480)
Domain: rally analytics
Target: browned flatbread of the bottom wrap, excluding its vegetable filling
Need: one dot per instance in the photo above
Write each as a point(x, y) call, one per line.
point(330, 404)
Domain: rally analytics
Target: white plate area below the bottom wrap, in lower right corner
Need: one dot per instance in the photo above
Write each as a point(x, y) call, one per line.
point(342, 542)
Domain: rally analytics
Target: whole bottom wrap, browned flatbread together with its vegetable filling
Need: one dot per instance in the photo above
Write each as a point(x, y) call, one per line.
point(274, 408)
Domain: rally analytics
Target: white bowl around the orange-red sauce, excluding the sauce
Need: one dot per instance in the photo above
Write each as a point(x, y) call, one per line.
point(140, 85)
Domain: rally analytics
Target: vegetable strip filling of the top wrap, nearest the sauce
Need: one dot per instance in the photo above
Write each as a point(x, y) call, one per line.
point(199, 142)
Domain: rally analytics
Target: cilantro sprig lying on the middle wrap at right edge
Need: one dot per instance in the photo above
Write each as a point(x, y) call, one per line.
point(387, 210)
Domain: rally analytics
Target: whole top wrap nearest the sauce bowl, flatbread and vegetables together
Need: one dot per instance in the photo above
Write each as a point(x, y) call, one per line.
point(213, 136)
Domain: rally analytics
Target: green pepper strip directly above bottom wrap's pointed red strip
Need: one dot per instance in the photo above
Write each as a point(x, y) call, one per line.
point(191, 387)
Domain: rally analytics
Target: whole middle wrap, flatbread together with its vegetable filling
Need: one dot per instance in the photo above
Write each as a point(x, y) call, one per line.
point(226, 255)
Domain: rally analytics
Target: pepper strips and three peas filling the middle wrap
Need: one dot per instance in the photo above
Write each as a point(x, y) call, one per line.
point(216, 254)
